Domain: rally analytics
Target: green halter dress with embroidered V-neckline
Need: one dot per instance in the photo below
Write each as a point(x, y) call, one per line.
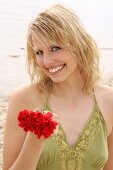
point(90, 151)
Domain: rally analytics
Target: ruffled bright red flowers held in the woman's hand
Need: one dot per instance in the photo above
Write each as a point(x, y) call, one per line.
point(37, 122)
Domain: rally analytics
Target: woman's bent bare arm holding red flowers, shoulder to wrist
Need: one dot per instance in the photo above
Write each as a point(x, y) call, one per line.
point(21, 150)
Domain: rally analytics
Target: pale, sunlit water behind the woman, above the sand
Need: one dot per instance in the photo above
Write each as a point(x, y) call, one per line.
point(15, 17)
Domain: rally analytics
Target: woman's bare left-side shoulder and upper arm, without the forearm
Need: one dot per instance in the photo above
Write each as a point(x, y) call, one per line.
point(26, 97)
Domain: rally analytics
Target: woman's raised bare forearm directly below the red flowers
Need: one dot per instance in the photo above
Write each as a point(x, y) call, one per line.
point(29, 154)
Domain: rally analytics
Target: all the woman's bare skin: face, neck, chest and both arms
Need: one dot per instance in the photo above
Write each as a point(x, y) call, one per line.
point(66, 100)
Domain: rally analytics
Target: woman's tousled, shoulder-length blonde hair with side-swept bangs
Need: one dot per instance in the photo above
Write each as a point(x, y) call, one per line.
point(60, 25)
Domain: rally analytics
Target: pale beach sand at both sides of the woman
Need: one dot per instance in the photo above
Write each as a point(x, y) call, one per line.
point(3, 112)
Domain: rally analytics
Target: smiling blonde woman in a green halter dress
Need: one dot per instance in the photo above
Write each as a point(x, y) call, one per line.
point(63, 66)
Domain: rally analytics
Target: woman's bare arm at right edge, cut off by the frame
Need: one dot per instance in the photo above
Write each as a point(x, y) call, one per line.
point(104, 96)
